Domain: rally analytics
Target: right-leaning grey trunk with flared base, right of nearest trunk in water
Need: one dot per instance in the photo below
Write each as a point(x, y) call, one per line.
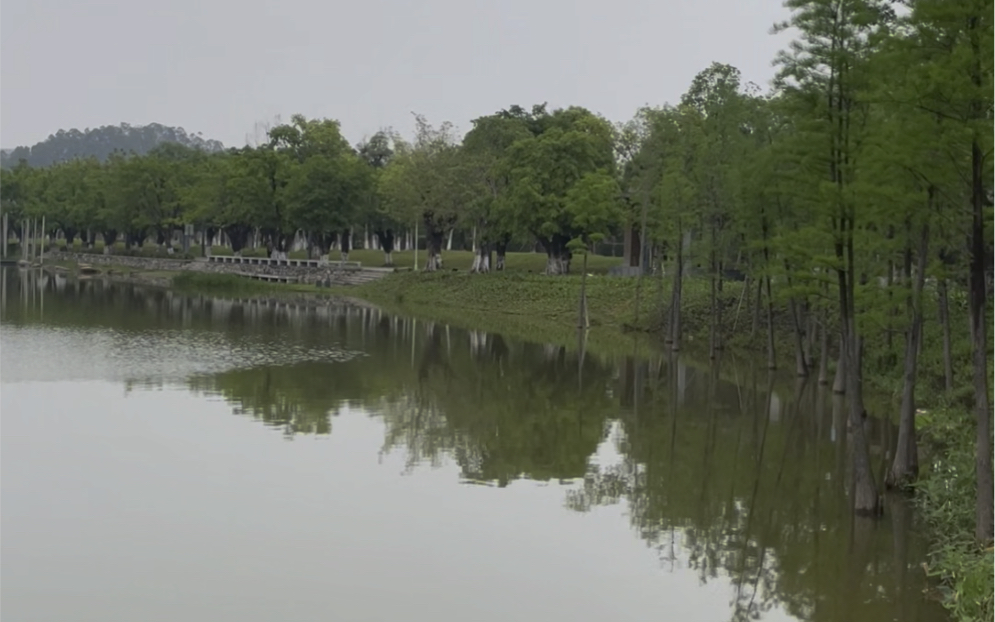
point(905, 467)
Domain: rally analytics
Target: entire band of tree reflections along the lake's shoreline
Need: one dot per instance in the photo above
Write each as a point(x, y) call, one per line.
point(732, 479)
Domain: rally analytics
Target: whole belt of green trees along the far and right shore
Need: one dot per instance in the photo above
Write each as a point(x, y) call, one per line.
point(858, 185)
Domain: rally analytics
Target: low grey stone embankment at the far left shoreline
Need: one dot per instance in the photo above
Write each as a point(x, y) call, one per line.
point(314, 273)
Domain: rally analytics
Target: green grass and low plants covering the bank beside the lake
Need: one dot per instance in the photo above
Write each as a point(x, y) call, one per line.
point(523, 303)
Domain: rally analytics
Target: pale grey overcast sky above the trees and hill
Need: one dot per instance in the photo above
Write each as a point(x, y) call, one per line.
point(220, 66)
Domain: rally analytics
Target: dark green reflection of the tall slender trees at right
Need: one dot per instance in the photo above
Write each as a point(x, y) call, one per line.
point(753, 494)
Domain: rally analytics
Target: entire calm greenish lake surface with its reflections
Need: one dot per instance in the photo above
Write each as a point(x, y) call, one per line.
point(170, 457)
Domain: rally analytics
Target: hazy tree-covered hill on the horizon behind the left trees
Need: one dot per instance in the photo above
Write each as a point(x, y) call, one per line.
point(102, 142)
